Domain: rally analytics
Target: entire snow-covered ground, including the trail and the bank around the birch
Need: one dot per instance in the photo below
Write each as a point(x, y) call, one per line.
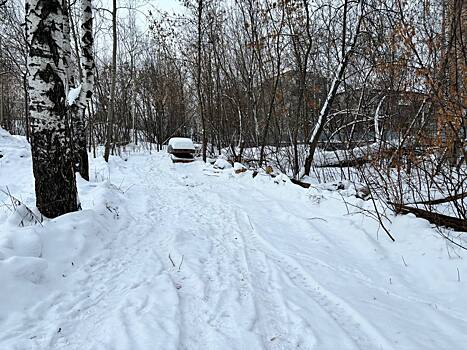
point(186, 256)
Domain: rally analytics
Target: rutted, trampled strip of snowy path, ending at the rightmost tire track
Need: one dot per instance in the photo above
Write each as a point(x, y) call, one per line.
point(234, 297)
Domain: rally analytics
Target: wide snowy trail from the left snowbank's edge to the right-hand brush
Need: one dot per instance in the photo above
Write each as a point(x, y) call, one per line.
point(207, 259)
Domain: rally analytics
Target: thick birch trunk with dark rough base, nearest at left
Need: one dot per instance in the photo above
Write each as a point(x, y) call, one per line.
point(52, 156)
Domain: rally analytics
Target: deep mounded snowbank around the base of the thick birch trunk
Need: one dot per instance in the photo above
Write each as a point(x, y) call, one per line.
point(38, 256)
